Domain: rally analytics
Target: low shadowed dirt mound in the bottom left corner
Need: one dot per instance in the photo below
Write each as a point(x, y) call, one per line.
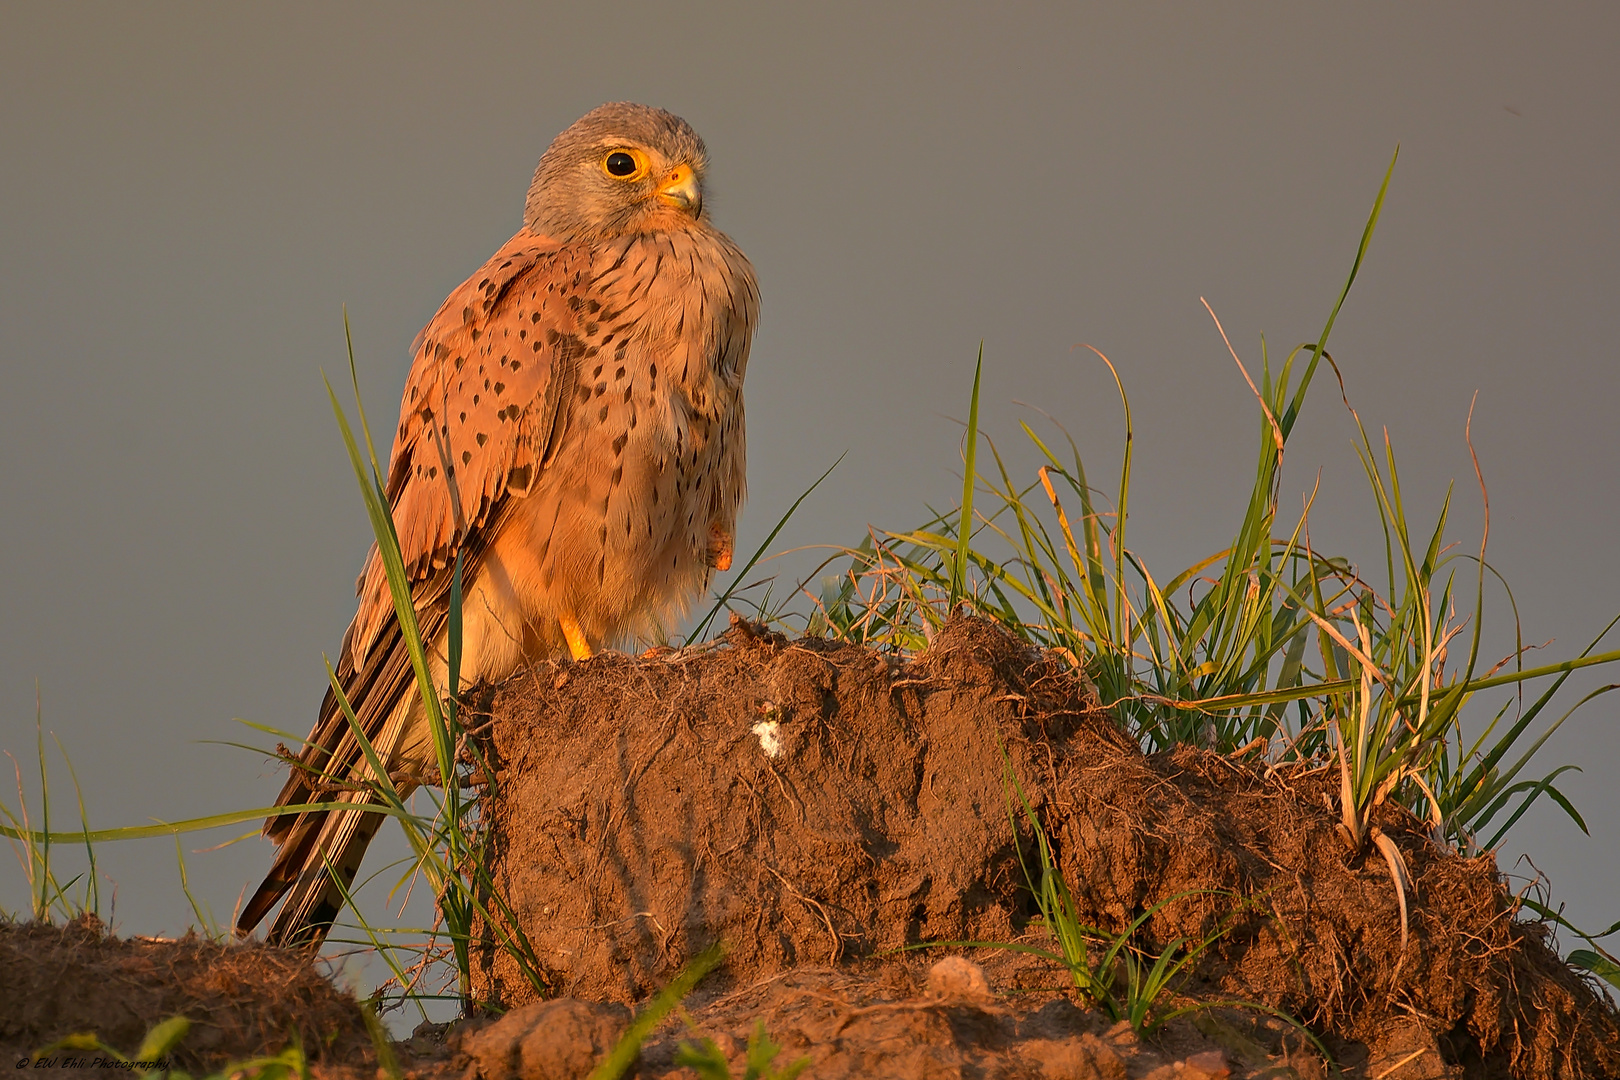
point(242, 1000)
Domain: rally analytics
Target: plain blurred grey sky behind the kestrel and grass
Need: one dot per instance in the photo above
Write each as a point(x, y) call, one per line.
point(190, 195)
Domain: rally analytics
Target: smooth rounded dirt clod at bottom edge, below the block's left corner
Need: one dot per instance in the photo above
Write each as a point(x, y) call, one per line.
point(548, 1040)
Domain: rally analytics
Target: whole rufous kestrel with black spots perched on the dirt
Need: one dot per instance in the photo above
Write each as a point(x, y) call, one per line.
point(573, 432)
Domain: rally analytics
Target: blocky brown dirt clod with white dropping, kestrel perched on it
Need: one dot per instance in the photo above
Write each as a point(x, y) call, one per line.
point(801, 802)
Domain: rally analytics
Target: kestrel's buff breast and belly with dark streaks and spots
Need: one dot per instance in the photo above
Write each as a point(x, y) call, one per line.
point(652, 446)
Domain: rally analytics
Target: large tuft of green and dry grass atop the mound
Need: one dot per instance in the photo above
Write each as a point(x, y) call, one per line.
point(1269, 644)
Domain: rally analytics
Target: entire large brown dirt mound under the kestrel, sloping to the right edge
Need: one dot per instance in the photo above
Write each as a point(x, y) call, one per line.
point(817, 806)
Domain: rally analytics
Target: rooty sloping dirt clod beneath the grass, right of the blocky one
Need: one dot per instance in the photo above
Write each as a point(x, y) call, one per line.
point(1475, 992)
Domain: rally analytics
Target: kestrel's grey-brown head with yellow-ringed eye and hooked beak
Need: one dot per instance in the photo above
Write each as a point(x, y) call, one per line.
point(620, 169)
